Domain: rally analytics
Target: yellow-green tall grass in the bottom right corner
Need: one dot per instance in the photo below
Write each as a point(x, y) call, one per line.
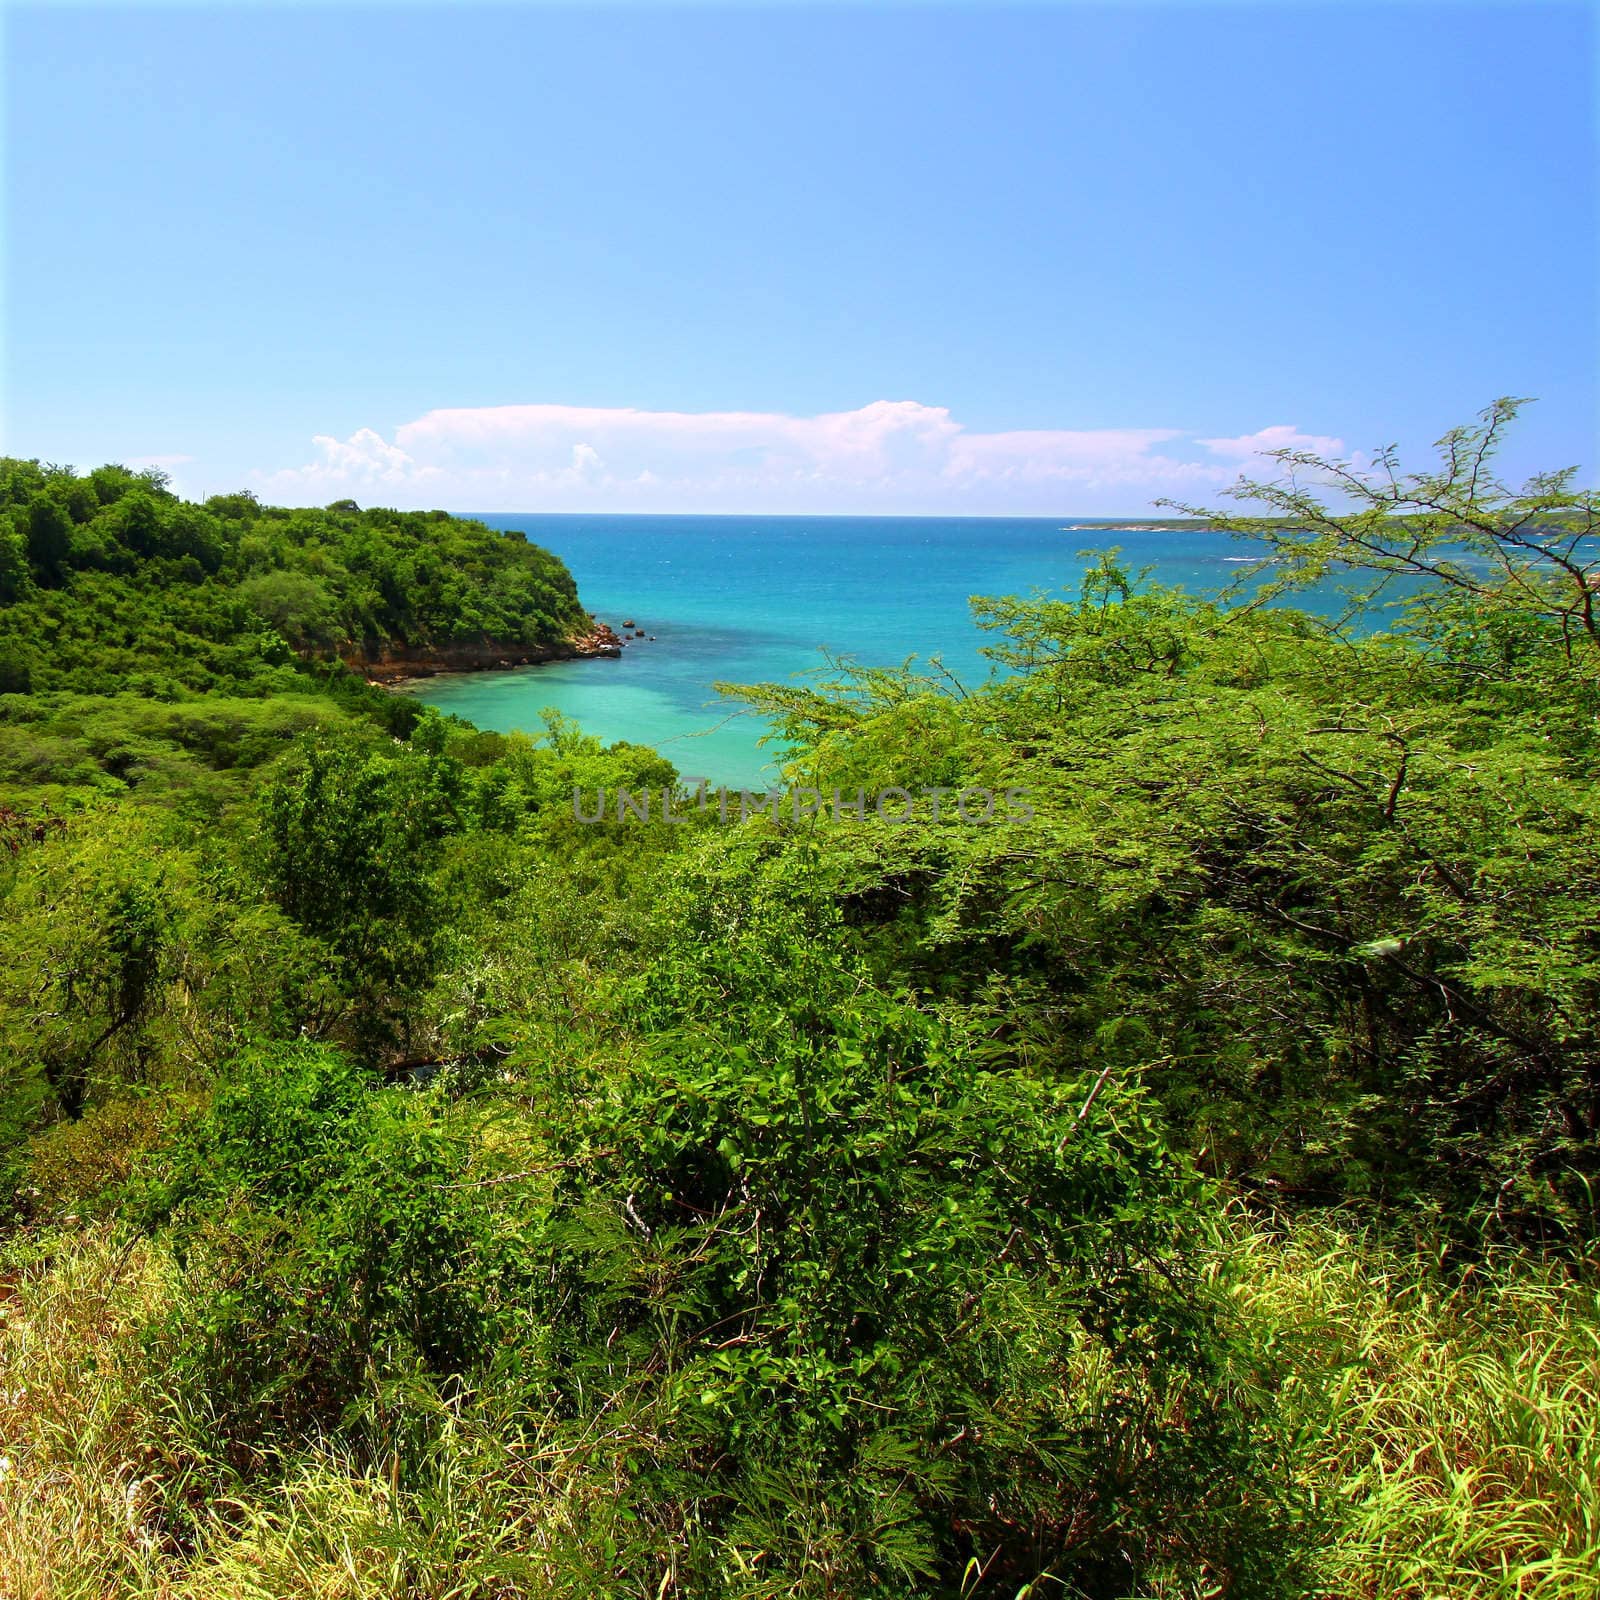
point(1455, 1420)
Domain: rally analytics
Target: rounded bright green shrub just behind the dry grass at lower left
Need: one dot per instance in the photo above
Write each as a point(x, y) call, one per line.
point(327, 1234)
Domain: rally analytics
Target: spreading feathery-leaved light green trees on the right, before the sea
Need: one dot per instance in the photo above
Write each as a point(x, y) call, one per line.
point(1348, 902)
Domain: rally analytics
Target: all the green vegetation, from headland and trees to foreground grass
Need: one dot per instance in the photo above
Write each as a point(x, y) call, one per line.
point(1183, 1186)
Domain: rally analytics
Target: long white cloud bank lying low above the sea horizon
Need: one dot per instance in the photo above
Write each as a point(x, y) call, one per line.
point(890, 455)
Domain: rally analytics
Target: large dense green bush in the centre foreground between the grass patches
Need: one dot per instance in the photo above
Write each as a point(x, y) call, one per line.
point(886, 1314)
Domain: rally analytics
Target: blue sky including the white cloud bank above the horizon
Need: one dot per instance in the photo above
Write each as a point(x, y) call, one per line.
point(777, 258)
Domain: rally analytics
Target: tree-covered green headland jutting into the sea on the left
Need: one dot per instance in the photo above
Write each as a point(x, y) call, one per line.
point(118, 585)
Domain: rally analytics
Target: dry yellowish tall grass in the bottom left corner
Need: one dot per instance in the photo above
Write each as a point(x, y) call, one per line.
point(114, 1482)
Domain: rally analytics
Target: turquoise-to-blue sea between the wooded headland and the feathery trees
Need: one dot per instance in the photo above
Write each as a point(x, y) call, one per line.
point(761, 599)
